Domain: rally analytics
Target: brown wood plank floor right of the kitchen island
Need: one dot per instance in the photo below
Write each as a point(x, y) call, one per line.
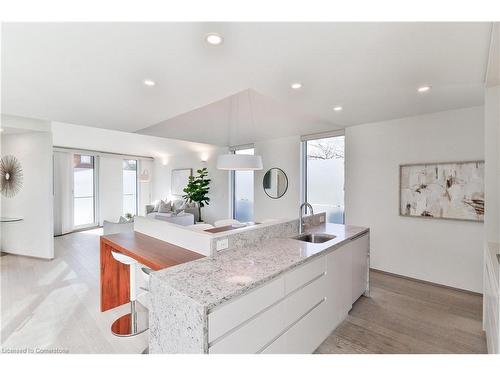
point(407, 316)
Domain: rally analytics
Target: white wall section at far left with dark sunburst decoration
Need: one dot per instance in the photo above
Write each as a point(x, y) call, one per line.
point(34, 235)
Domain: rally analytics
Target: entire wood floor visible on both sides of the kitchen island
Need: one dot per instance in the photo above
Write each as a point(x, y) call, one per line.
point(55, 304)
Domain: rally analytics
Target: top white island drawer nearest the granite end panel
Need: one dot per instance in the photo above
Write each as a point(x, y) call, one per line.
point(231, 314)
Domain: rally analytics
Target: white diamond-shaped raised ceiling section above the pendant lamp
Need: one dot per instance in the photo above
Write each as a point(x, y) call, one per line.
point(242, 118)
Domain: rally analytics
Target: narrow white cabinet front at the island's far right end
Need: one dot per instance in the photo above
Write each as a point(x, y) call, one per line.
point(359, 249)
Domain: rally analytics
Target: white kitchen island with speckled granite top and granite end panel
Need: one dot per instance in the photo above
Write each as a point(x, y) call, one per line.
point(281, 295)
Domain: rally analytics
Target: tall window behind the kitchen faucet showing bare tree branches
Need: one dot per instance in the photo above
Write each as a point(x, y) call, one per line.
point(324, 176)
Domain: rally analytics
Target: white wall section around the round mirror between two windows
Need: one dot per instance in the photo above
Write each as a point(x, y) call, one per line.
point(281, 153)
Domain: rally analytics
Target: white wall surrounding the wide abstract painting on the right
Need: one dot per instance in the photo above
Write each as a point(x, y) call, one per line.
point(441, 251)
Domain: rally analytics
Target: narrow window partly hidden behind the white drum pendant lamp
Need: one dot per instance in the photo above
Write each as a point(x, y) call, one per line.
point(243, 191)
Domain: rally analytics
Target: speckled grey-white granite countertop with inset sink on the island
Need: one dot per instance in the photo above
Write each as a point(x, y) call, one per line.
point(213, 280)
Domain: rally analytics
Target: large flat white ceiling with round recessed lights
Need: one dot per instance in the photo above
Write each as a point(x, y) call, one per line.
point(91, 73)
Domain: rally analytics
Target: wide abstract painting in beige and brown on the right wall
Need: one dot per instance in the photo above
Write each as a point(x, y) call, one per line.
point(443, 190)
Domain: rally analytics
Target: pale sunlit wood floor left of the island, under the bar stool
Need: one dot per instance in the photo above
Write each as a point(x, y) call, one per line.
point(55, 304)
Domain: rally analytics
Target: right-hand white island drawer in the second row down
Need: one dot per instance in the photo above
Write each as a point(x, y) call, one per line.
point(304, 299)
